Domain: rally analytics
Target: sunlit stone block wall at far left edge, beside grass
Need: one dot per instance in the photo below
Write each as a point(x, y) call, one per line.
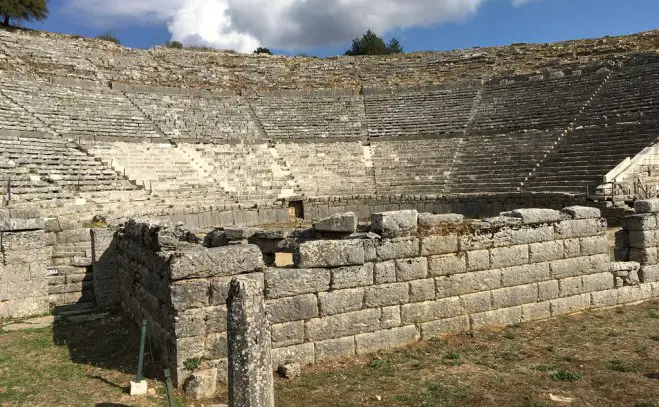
point(23, 269)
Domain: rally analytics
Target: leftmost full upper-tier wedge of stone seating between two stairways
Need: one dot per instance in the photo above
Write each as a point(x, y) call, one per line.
point(80, 110)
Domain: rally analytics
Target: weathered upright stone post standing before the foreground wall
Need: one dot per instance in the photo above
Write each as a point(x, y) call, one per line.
point(248, 338)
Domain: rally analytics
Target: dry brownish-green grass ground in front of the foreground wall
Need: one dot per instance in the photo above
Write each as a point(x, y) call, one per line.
point(604, 358)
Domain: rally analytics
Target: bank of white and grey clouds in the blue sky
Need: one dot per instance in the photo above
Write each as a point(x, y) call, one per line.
point(285, 24)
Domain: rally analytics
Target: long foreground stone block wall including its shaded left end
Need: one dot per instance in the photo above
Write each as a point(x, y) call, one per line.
point(418, 276)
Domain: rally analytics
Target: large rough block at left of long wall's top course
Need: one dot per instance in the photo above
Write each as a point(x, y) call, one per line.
point(329, 253)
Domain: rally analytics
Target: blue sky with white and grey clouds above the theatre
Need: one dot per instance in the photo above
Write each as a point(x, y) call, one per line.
point(326, 27)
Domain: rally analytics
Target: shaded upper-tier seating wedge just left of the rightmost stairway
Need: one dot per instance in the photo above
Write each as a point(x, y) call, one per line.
point(537, 102)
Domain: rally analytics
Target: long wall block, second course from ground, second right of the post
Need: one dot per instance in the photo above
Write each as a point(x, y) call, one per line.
point(337, 326)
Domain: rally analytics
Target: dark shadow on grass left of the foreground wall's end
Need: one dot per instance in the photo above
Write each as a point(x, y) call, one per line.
point(110, 342)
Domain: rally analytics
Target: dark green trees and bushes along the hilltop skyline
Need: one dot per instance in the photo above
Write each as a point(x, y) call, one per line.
point(30, 10)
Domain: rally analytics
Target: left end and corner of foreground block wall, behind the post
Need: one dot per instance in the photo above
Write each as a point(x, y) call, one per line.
point(180, 288)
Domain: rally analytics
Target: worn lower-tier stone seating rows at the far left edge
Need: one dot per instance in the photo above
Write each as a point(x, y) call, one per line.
point(43, 169)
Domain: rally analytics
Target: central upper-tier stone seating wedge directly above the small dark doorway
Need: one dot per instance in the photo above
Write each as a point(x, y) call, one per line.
point(310, 115)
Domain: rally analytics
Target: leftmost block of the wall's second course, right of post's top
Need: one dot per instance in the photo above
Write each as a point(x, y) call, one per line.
point(291, 282)
